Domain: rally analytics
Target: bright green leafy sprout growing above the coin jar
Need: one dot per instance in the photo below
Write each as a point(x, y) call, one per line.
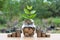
point(29, 13)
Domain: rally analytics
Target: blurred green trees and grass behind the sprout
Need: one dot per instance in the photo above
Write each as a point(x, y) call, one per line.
point(12, 10)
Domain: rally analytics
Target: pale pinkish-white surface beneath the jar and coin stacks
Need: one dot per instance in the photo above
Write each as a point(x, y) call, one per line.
point(53, 37)
